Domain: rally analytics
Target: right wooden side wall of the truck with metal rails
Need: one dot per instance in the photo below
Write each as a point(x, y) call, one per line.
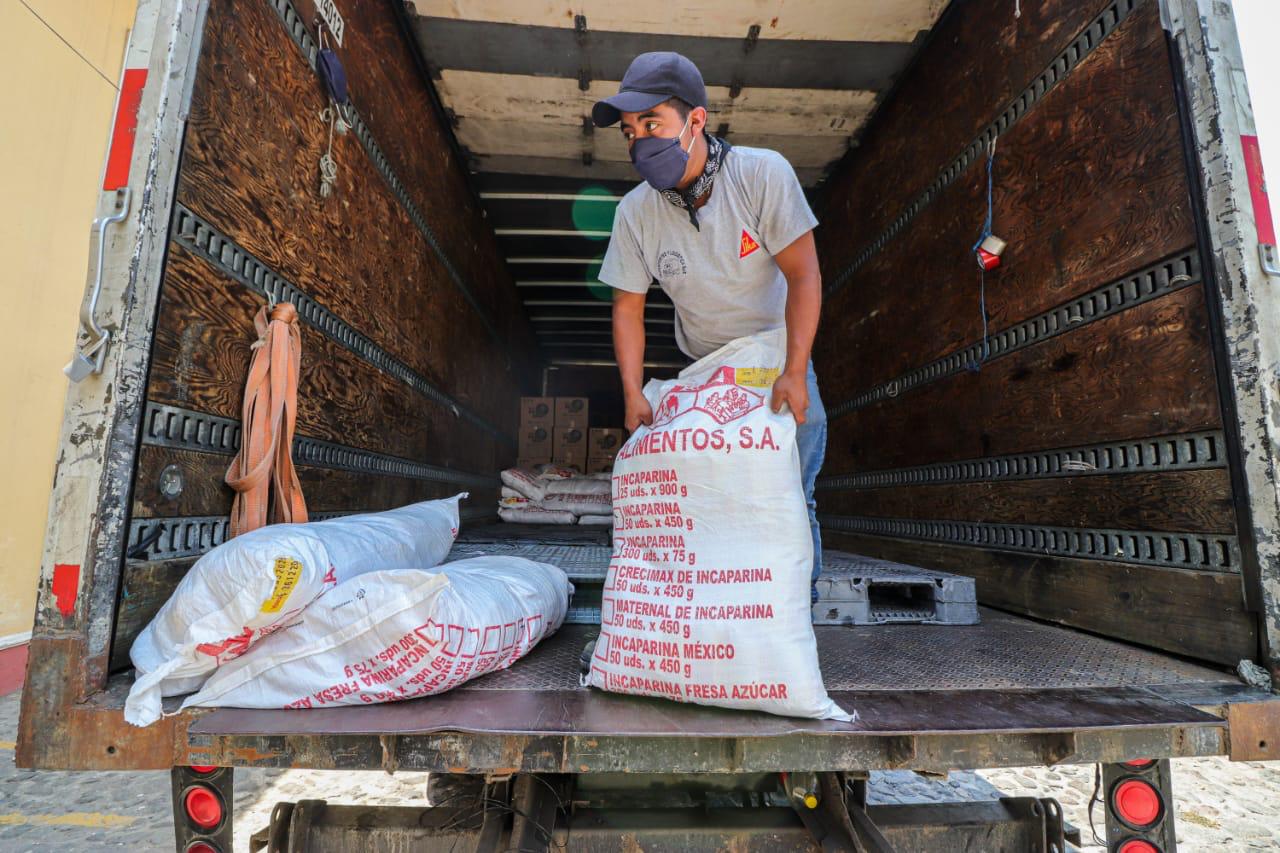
point(1075, 460)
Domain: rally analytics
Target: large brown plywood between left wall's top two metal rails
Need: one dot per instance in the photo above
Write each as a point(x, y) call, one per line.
point(358, 253)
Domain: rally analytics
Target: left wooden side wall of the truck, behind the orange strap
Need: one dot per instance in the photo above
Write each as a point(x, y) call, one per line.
point(414, 341)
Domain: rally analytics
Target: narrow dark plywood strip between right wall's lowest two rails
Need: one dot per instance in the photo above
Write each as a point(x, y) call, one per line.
point(1173, 501)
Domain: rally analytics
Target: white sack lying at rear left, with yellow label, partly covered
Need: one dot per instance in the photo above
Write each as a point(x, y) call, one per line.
point(258, 583)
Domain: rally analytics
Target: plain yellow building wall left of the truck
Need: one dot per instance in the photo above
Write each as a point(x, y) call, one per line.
point(61, 76)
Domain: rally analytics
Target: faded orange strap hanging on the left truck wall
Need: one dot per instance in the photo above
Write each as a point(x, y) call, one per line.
point(269, 417)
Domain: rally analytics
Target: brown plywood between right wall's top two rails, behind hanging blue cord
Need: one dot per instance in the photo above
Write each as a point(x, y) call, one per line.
point(1090, 186)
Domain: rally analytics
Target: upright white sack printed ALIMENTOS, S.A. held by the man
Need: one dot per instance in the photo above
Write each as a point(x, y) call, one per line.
point(707, 596)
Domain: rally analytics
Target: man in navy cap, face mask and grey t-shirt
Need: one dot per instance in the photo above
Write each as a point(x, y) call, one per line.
point(729, 236)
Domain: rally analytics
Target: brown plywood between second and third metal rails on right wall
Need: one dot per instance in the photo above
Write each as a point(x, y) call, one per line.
point(1146, 372)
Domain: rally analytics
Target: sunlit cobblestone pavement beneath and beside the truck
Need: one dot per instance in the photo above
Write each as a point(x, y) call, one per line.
point(1220, 806)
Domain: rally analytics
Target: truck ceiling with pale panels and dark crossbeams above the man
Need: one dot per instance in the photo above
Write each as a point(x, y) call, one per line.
point(518, 81)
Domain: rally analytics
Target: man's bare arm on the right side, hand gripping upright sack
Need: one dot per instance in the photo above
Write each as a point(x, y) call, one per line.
point(799, 263)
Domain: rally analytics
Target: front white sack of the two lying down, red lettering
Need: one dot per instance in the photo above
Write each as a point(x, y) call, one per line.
point(391, 636)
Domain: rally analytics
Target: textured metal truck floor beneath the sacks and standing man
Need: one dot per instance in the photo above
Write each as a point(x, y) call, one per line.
point(1007, 674)
